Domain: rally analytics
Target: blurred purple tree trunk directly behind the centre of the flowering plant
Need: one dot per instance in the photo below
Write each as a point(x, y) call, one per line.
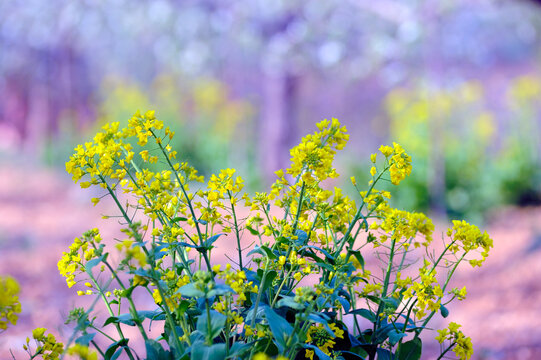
point(278, 121)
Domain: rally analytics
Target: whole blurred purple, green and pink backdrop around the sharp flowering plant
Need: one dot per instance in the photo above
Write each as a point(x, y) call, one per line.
point(456, 83)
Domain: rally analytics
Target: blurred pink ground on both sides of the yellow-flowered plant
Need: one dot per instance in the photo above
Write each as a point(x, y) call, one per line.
point(41, 212)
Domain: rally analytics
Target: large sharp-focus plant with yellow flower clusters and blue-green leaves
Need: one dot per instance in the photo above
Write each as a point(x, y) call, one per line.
point(302, 290)
